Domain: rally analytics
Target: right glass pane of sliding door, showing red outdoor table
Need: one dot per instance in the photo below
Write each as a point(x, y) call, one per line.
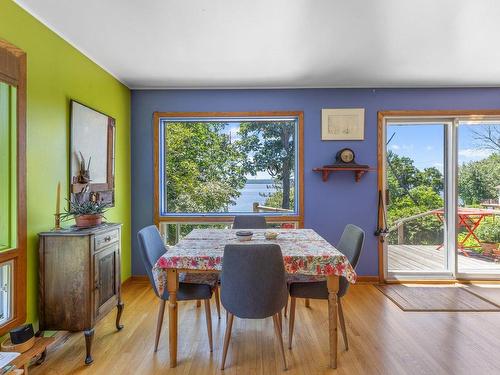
point(478, 220)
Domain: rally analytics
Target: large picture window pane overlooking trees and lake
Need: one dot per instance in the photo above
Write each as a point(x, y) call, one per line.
point(232, 166)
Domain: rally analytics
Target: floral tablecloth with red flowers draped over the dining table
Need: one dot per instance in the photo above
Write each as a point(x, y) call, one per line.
point(304, 252)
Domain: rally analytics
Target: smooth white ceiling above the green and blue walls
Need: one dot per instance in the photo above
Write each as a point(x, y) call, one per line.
point(283, 43)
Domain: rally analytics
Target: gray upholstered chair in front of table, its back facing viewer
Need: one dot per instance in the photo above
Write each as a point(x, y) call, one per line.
point(253, 286)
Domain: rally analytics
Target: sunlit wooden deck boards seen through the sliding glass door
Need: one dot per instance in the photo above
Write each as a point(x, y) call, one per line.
point(428, 258)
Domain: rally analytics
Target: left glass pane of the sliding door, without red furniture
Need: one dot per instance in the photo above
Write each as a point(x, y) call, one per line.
point(416, 173)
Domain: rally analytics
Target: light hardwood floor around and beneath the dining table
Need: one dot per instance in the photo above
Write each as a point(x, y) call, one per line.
point(383, 340)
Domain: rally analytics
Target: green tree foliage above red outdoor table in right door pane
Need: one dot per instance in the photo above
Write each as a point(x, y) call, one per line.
point(477, 180)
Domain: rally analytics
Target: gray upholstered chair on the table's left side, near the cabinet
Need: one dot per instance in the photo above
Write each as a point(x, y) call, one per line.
point(151, 248)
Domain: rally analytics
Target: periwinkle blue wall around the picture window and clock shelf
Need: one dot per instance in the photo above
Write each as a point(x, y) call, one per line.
point(328, 206)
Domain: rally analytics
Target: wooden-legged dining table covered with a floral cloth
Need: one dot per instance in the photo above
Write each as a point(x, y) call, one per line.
point(304, 251)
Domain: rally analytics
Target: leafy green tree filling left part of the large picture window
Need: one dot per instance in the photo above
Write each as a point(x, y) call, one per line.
point(204, 170)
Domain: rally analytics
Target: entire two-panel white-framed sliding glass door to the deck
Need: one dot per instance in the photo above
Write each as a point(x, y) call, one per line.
point(442, 184)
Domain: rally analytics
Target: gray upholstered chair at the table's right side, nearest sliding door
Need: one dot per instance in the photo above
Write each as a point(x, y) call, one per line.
point(350, 244)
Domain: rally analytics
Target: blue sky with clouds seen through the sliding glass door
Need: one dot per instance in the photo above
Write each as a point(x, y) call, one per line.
point(425, 144)
